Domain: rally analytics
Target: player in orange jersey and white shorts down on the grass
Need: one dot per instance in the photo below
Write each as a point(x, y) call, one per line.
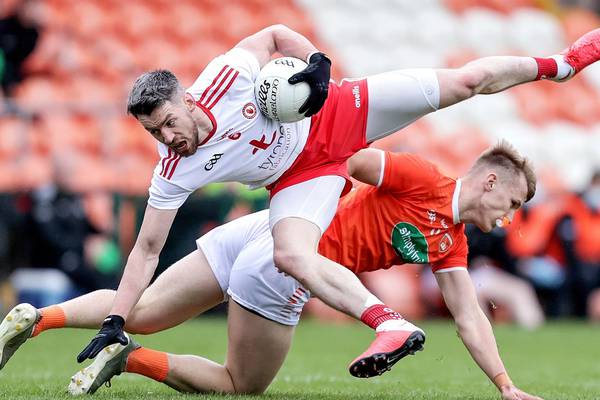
point(414, 214)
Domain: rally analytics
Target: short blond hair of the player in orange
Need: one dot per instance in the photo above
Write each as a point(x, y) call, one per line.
point(504, 155)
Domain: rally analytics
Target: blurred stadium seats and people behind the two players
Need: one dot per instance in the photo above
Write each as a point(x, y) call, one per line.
point(75, 169)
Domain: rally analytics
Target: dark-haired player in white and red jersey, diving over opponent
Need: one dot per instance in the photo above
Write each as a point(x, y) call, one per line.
point(305, 187)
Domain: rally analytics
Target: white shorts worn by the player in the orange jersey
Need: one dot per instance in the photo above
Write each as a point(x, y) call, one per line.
point(240, 253)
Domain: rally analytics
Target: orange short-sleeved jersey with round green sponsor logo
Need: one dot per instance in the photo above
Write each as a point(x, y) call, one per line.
point(412, 217)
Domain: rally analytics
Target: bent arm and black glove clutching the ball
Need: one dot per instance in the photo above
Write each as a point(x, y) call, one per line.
point(280, 38)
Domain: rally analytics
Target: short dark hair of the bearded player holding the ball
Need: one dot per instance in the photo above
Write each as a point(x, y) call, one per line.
point(151, 90)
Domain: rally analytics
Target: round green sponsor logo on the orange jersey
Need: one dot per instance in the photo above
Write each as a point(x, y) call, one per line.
point(410, 244)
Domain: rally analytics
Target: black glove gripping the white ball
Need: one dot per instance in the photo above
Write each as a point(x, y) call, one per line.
point(316, 74)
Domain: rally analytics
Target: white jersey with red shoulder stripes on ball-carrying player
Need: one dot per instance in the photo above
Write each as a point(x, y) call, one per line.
point(244, 145)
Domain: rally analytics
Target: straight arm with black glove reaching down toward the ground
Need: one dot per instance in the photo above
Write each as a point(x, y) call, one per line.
point(138, 272)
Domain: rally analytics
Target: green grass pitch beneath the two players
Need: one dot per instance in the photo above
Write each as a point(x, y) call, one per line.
point(560, 361)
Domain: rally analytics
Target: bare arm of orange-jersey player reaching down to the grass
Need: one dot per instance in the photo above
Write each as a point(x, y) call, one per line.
point(476, 332)
